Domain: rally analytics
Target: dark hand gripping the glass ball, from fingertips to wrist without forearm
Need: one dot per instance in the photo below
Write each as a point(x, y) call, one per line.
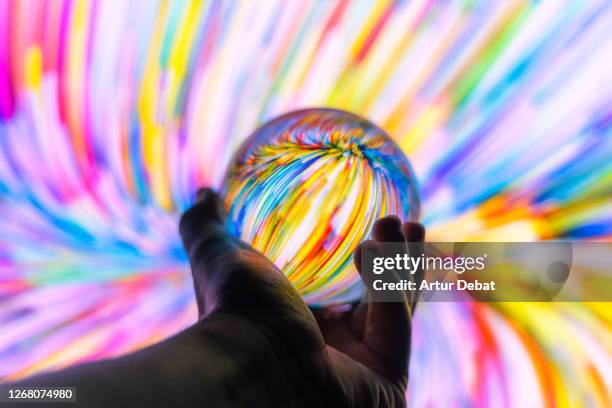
point(354, 358)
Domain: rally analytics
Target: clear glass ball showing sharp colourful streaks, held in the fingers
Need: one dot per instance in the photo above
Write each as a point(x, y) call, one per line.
point(306, 188)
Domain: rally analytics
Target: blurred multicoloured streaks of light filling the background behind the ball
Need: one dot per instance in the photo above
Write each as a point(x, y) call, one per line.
point(113, 112)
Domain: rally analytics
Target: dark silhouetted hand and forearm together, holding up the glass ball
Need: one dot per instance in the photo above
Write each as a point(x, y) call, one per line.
point(256, 344)
